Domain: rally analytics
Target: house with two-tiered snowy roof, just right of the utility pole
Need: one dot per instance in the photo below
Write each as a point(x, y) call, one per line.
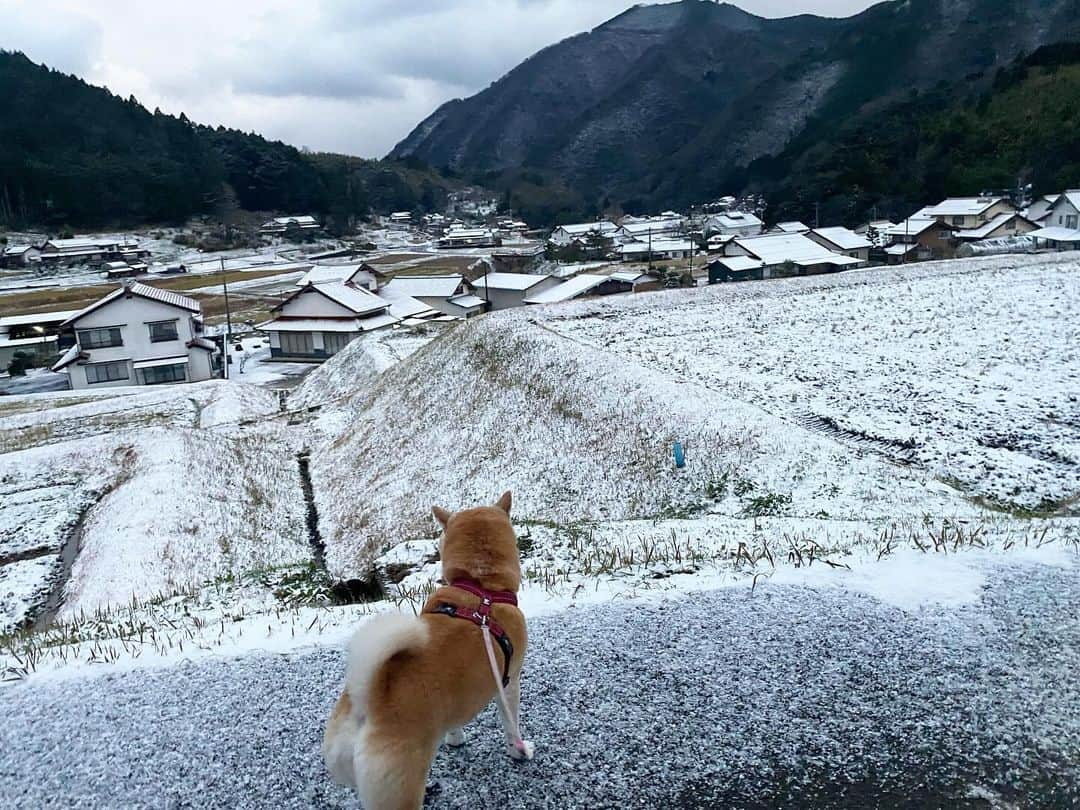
point(320, 320)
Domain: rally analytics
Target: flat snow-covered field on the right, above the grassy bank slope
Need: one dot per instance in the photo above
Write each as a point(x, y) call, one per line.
point(967, 370)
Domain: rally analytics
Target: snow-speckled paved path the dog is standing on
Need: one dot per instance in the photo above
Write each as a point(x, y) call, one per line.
point(790, 697)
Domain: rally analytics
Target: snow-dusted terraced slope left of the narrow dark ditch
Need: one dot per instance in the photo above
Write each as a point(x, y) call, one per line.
point(136, 493)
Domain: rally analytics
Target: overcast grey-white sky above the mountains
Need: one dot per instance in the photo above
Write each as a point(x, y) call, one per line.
point(348, 76)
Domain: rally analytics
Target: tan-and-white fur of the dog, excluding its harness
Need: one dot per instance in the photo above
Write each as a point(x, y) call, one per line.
point(437, 677)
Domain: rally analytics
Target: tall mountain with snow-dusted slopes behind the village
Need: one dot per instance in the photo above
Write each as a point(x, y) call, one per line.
point(672, 104)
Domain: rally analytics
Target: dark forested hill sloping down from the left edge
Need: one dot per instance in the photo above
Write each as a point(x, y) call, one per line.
point(75, 155)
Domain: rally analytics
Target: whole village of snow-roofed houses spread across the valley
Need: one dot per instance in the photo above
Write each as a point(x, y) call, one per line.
point(141, 334)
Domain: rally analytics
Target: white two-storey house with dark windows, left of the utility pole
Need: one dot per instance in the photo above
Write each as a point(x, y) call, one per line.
point(138, 335)
